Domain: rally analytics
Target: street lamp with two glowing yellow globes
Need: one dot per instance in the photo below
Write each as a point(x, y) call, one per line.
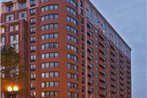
point(12, 91)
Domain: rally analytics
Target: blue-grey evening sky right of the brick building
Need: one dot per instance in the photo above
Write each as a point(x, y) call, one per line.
point(128, 17)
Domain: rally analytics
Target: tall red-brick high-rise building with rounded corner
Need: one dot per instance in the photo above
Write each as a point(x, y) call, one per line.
point(68, 49)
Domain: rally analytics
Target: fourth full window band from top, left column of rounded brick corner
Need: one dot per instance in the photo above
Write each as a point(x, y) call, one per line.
point(49, 36)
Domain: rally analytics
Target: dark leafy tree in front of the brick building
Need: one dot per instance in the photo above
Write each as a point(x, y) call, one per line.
point(10, 66)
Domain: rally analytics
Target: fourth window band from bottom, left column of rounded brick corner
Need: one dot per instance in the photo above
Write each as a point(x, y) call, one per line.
point(49, 65)
